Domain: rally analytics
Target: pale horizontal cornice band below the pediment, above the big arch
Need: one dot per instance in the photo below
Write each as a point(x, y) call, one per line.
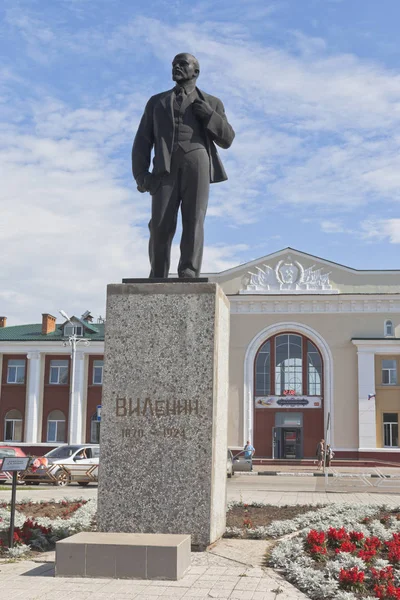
point(314, 303)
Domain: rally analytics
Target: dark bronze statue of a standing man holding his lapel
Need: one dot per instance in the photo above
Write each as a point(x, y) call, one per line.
point(182, 126)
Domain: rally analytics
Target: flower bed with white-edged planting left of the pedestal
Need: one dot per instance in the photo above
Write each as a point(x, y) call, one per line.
point(40, 533)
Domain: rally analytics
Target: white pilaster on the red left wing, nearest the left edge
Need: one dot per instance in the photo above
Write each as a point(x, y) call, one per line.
point(32, 411)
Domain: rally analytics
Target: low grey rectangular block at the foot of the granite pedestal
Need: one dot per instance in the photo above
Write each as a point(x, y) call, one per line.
point(123, 556)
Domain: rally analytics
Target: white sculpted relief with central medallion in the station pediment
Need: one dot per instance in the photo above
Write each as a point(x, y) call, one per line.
point(287, 276)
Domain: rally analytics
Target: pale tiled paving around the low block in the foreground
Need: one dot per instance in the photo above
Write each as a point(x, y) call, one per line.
point(211, 575)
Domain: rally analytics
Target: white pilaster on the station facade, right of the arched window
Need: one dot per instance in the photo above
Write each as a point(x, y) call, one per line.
point(366, 408)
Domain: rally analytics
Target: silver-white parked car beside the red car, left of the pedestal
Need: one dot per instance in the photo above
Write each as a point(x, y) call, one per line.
point(64, 465)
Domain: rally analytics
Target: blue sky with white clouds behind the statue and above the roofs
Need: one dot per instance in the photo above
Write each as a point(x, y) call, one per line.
point(311, 87)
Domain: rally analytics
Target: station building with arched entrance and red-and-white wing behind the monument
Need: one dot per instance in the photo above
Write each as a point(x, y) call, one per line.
point(314, 352)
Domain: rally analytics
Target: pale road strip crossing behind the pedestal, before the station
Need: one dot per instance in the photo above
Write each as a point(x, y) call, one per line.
point(277, 490)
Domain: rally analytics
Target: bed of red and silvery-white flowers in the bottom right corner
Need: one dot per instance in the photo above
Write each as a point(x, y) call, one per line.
point(344, 552)
